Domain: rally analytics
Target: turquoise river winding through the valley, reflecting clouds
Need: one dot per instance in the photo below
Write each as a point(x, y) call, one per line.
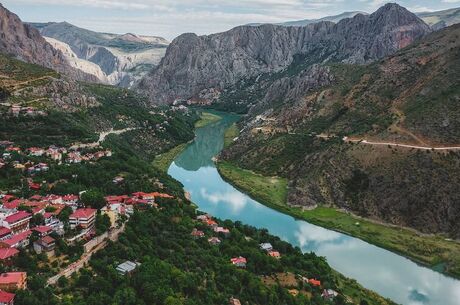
point(387, 273)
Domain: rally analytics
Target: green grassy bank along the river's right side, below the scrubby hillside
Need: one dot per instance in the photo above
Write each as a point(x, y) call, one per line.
point(431, 251)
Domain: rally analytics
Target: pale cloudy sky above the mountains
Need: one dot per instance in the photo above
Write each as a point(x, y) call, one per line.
point(170, 18)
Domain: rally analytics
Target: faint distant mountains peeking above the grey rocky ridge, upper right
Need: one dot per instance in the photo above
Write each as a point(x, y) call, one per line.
point(437, 19)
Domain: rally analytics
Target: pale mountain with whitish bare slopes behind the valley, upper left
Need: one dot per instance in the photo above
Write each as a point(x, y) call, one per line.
point(122, 59)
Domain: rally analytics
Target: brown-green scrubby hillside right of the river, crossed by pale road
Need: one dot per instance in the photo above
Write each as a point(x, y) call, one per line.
point(410, 98)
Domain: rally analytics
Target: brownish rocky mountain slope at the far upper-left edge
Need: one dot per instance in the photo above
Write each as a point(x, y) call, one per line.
point(25, 42)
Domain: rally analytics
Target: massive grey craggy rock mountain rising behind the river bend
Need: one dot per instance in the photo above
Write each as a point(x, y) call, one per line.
point(198, 68)
